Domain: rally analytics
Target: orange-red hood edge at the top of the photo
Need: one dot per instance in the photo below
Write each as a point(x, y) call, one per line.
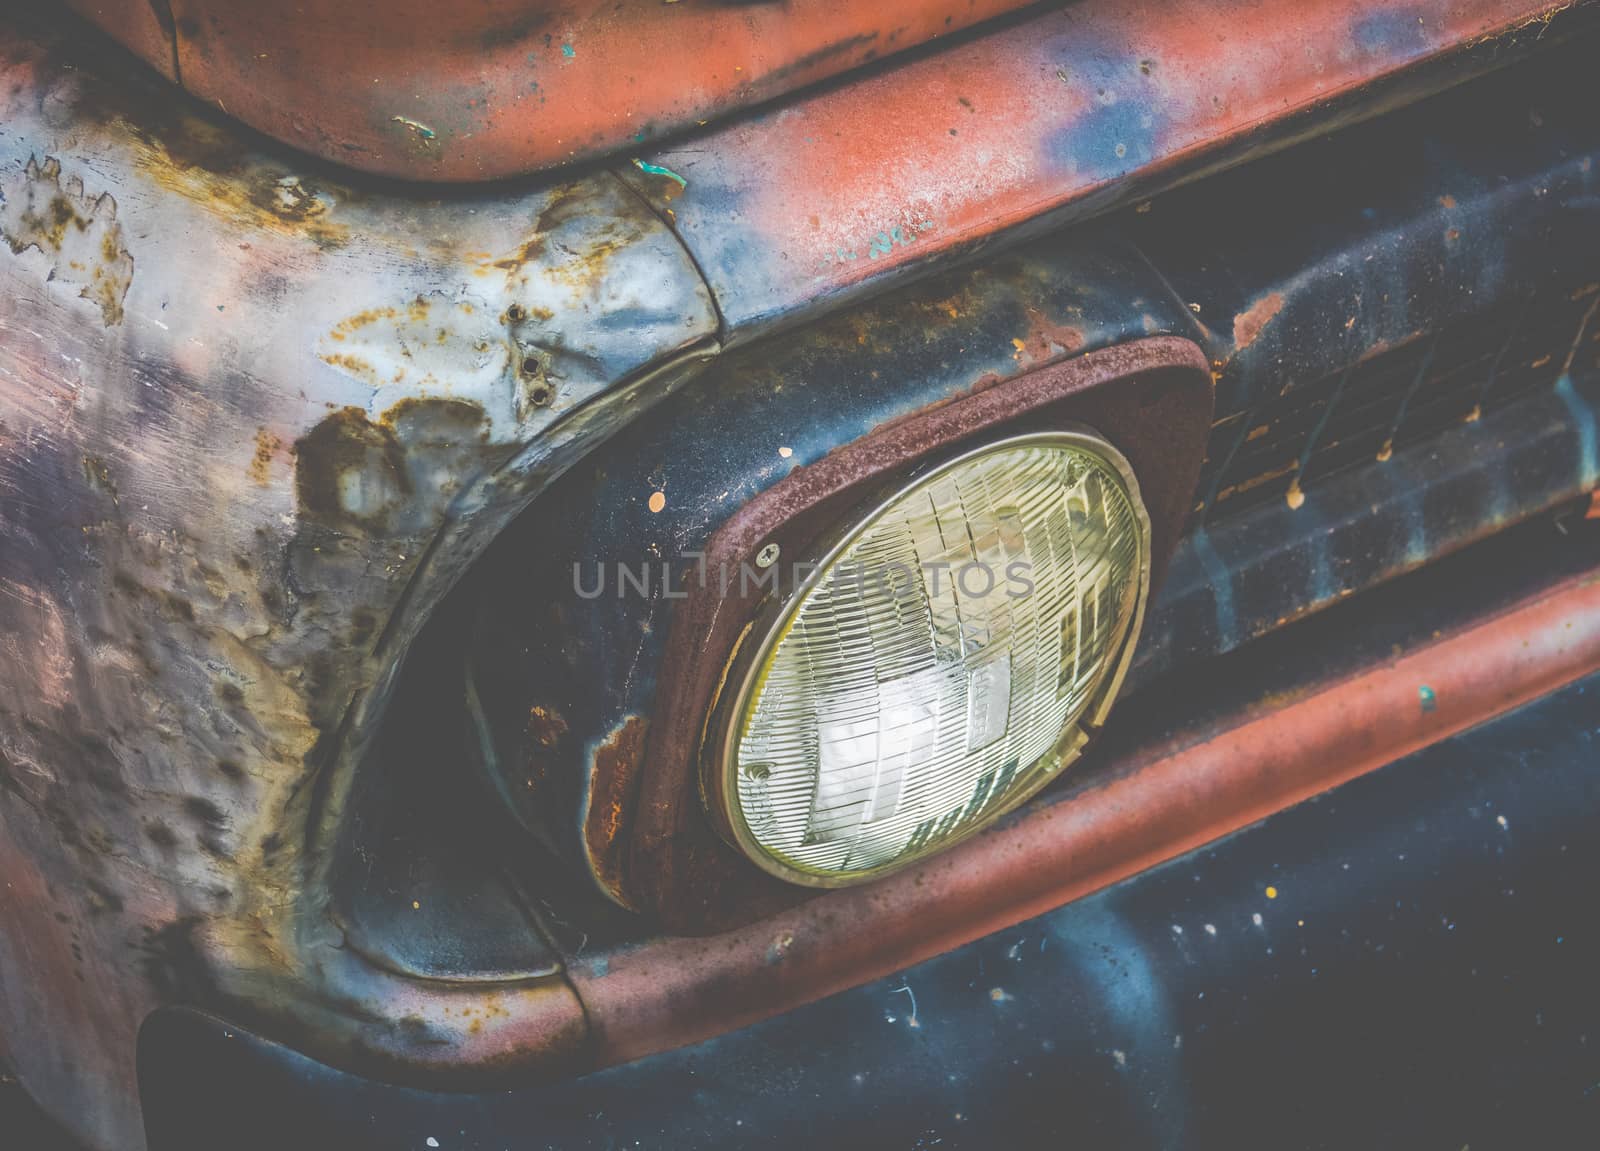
point(460, 92)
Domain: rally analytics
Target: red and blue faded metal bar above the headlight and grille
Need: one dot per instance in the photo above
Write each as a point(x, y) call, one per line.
point(1039, 124)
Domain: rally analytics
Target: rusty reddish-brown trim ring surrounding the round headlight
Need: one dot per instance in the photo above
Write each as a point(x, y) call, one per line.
point(1150, 398)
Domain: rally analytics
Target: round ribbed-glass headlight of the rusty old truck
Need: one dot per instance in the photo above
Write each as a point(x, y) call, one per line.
point(940, 664)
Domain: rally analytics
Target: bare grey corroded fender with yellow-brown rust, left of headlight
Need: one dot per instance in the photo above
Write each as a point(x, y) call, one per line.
point(254, 423)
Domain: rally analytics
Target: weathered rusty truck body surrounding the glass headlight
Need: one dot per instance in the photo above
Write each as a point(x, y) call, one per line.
point(322, 774)
